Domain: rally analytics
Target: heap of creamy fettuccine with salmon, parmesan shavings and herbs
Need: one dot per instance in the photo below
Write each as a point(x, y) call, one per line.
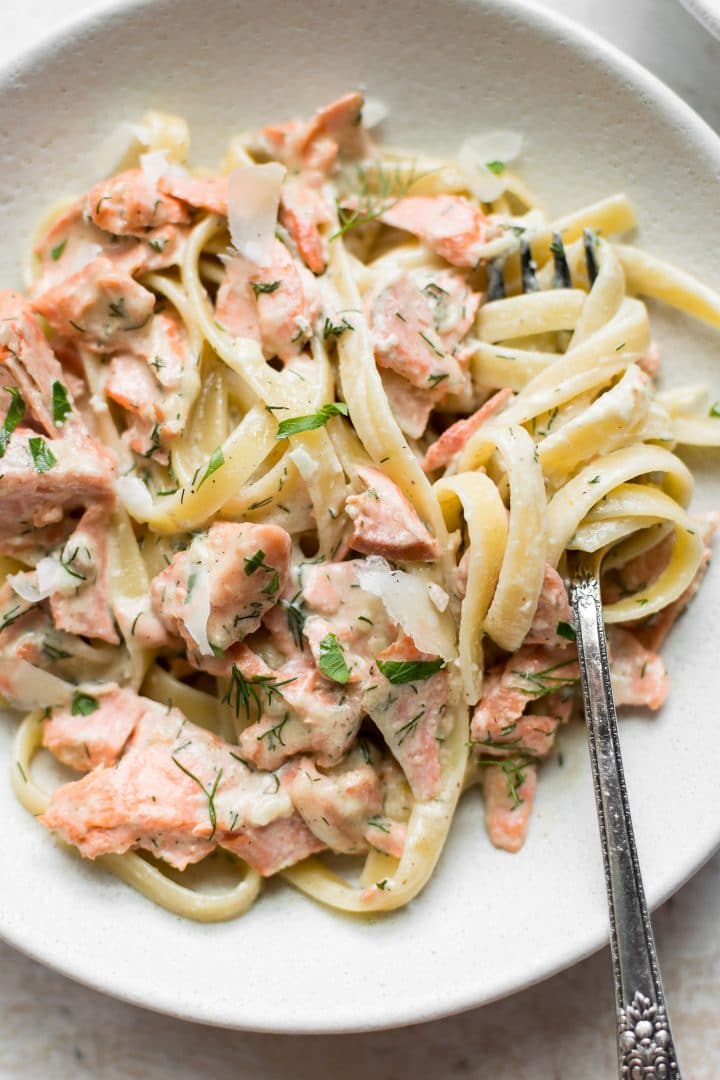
point(296, 458)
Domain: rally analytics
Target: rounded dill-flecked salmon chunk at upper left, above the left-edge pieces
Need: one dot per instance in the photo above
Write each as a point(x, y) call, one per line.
point(102, 305)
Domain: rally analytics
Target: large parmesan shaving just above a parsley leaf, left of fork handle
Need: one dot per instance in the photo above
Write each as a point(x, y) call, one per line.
point(407, 602)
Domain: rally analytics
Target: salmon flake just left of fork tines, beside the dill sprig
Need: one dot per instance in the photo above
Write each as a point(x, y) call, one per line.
point(452, 226)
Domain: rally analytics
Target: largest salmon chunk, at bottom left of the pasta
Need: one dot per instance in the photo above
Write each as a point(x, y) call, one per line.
point(179, 791)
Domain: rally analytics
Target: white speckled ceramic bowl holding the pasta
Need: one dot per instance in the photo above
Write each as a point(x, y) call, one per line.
point(595, 123)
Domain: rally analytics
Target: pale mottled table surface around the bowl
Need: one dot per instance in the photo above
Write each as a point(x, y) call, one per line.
point(562, 1030)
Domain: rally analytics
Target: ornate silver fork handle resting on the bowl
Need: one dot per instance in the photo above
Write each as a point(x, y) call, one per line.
point(645, 1042)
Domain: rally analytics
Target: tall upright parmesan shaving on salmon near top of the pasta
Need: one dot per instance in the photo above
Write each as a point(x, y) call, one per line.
point(253, 202)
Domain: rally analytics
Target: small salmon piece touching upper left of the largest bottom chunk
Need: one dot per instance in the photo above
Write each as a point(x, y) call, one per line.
point(85, 742)
